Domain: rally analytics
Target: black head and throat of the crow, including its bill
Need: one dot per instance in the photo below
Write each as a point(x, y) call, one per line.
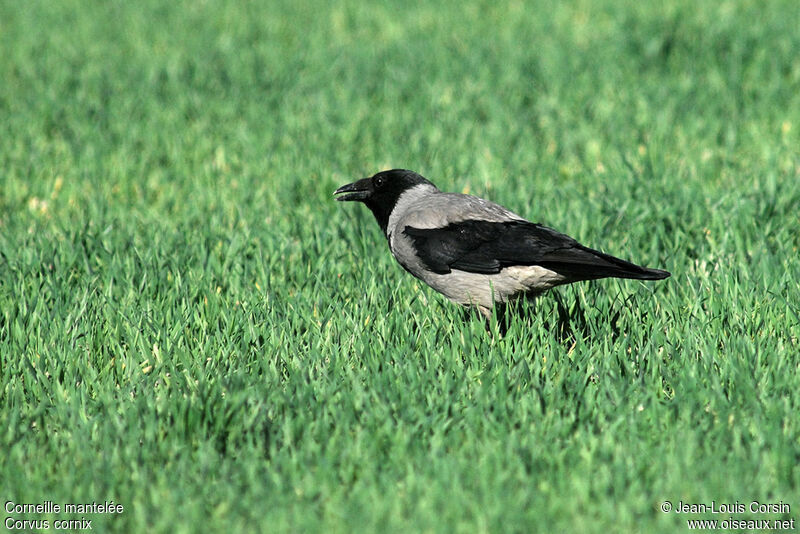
point(381, 191)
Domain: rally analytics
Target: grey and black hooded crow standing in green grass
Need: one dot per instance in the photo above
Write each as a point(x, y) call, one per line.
point(473, 251)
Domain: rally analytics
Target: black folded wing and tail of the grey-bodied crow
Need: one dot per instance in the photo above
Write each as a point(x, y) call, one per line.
point(487, 247)
